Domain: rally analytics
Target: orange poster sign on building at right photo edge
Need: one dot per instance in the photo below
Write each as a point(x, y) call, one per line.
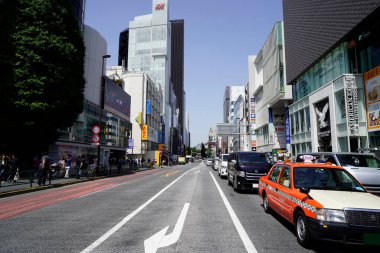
point(372, 98)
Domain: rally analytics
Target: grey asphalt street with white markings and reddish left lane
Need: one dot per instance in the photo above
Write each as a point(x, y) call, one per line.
point(184, 208)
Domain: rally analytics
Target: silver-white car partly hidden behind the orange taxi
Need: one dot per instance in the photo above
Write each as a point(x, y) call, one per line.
point(365, 167)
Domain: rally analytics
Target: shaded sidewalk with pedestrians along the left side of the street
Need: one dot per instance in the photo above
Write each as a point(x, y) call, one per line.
point(24, 186)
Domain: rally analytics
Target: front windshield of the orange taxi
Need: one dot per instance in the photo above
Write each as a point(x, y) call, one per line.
point(325, 179)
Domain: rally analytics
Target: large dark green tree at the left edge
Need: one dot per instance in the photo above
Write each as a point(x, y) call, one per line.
point(42, 80)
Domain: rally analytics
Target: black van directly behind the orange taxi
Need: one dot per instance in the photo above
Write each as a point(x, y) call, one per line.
point(245, 169)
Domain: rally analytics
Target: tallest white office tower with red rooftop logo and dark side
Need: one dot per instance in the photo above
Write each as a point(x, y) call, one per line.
point(154, 45)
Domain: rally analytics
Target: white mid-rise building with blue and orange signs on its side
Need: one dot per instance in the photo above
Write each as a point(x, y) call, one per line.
point(145, 113)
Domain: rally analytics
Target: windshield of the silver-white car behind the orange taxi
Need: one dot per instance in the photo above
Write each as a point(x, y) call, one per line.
point(358, 160)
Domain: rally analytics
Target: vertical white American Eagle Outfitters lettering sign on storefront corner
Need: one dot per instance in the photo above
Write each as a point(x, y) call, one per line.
point(352, 105)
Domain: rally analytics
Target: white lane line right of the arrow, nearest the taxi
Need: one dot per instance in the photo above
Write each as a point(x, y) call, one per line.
point(239, 227)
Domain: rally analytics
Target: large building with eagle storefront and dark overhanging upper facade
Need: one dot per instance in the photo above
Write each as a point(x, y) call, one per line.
point(326, 57)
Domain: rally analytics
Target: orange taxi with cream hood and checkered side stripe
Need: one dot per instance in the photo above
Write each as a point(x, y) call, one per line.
point(323, 201)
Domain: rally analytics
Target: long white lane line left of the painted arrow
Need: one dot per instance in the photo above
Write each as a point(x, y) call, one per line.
point(110, 232)
